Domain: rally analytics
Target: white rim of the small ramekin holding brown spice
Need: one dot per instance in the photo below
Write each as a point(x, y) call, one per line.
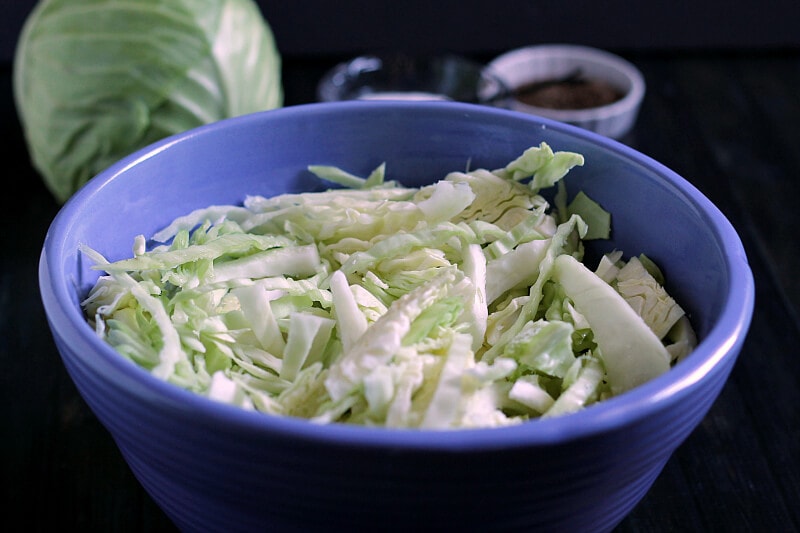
point(579, 53)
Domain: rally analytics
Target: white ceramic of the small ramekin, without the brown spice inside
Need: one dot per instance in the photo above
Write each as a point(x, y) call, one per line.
point(531, 64)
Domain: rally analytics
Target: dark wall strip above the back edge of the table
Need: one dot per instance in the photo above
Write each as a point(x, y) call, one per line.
point(314, 28)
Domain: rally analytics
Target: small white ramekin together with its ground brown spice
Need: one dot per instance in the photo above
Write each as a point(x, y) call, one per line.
point(585, 76)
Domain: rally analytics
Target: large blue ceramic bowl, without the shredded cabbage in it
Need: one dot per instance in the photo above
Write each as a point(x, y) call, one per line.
point(213, 467)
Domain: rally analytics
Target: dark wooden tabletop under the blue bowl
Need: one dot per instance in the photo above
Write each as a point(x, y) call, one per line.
point(728, 122)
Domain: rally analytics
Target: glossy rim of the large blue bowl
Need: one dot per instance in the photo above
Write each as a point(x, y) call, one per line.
point(722, 341)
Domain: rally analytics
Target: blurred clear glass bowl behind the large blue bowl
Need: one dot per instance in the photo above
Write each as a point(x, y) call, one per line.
point(400, 76)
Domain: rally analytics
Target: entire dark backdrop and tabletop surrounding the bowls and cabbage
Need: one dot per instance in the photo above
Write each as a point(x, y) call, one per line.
point(722, 109)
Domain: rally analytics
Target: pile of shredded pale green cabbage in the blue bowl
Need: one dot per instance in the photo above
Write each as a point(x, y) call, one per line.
point(459, 304)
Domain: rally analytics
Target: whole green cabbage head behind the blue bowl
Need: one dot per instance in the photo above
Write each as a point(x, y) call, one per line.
point(95, 80)
